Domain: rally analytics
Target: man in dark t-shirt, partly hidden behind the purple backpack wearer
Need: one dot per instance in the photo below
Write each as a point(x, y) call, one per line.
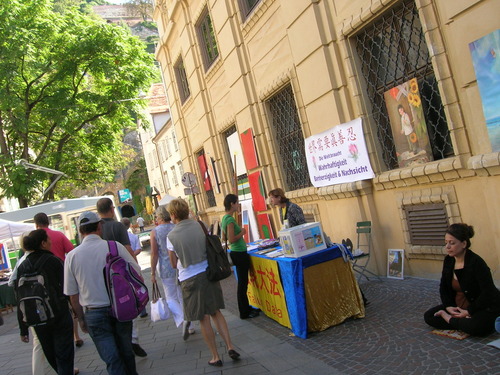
point(113, 230)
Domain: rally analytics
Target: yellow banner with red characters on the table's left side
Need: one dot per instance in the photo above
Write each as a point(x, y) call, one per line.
point(265, 290)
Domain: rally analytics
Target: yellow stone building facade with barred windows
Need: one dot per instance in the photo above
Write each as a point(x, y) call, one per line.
point(290, 69)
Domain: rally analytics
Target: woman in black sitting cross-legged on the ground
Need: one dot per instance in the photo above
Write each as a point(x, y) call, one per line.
point(470, 300)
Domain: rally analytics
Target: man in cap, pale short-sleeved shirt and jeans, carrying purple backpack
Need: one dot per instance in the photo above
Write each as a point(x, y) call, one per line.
point(85, 285)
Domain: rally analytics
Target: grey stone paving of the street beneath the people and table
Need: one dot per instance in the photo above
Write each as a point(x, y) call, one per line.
point(392, 339)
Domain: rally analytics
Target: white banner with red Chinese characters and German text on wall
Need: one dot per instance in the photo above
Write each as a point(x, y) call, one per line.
point(338, 155)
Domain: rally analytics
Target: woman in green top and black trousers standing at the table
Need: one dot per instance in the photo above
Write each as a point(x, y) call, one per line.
point(235, 237)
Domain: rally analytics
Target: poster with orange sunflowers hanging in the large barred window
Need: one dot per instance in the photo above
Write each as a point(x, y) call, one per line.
point(409, 130)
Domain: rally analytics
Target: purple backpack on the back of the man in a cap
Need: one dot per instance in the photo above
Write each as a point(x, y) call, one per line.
point(126, 289)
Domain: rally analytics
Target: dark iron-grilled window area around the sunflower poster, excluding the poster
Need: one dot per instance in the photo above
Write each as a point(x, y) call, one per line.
point(392, 51)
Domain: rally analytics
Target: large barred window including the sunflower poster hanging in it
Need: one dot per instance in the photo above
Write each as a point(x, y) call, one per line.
point(395, 61)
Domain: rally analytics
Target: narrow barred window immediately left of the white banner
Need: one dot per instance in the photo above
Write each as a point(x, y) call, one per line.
point(289, 140)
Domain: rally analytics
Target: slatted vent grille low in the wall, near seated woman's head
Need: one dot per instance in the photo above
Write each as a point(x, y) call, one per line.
point(427, 223)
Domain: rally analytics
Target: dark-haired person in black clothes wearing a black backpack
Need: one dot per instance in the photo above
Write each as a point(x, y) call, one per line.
point(56, 337)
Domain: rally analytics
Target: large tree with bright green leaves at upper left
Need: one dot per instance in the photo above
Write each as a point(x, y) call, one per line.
point(67, 83)
